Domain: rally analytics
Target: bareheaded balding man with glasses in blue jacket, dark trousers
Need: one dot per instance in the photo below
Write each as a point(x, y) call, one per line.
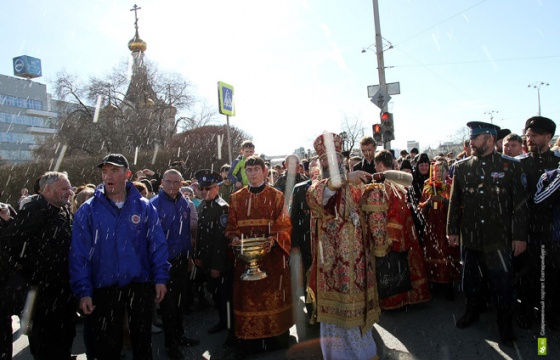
point(174, 214)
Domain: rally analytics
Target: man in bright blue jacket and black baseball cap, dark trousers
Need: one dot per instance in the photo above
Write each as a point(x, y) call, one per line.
point(118, 261)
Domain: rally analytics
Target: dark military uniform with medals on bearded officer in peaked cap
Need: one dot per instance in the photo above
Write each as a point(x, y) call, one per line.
point(488, 207)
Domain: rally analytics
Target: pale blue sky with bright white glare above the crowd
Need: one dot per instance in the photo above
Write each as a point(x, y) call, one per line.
point(297, 65)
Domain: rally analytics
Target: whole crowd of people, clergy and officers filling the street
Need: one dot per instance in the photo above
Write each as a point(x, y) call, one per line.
point(374, 232)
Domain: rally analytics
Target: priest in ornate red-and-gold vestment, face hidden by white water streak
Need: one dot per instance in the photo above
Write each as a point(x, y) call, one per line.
point(342, 281)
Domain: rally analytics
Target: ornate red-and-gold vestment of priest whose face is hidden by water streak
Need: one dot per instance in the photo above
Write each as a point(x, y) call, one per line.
point(342, 280)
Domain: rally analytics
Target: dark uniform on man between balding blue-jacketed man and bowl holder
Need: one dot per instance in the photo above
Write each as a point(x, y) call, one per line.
point(212, 250)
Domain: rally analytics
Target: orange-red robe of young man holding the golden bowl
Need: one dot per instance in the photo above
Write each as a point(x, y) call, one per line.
point(262, 308)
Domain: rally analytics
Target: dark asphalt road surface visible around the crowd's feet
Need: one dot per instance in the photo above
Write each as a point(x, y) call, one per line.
point(421, 332)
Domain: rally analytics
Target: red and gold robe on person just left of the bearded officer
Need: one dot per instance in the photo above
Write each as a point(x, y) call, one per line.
point(441, 260)
